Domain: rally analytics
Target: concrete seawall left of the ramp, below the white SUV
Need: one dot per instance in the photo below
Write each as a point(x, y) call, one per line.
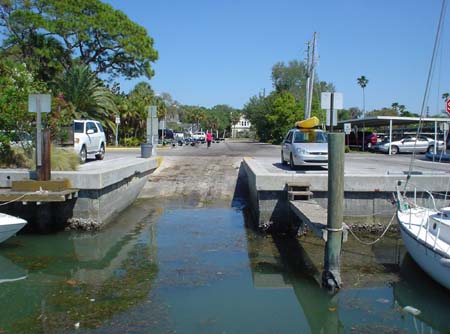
point(105, 189)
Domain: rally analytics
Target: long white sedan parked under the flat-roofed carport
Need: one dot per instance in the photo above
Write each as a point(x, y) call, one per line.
point(410, 145)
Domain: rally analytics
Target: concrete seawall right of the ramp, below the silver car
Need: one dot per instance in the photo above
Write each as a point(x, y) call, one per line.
point(368, 198)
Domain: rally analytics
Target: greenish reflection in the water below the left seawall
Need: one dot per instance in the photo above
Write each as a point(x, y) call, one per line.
point(80, 278)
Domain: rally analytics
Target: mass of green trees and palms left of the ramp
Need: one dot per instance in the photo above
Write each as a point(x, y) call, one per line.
point(75, 51)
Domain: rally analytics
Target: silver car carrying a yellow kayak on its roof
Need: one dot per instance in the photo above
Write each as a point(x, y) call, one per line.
point(305, 147)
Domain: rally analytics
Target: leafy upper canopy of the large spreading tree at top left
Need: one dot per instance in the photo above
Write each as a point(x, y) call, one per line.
point(100, 36)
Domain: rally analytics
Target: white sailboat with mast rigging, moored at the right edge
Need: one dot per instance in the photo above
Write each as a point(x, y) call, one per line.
point(425, 229)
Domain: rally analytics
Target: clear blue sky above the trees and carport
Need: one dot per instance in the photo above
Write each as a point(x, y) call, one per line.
point(222, 51)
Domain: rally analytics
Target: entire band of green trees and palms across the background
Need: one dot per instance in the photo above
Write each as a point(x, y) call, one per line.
point(76, 50)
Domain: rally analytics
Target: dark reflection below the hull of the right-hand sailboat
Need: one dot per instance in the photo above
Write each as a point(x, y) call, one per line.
point(418, 290)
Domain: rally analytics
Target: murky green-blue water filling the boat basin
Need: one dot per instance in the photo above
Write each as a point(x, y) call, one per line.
point(172, 268)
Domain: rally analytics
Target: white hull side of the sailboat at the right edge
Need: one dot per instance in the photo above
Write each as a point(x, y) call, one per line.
point(430, 254)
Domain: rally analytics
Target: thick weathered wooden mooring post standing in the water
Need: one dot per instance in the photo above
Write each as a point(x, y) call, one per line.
point(331, 276)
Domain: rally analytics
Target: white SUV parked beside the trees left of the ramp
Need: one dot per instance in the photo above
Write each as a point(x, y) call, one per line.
point(89, 138)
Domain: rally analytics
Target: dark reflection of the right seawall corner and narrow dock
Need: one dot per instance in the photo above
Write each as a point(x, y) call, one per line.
point(285, 264)
